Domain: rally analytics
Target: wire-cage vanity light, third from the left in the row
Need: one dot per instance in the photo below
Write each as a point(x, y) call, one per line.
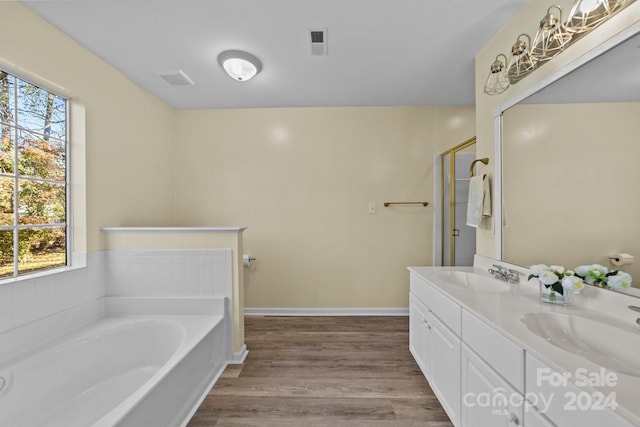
point(552, 36)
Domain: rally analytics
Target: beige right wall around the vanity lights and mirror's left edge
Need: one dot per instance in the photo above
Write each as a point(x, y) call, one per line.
point(527, 21)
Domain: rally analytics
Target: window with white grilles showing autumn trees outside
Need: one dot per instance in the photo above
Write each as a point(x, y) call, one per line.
point(33, 178)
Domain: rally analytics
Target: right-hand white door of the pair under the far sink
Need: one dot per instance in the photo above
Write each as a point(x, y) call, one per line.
point(443, 360)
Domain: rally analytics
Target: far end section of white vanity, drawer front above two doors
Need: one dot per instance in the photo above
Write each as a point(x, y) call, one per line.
point(434, 345)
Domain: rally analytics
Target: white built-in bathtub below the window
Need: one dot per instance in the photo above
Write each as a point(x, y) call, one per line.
point(116, 371)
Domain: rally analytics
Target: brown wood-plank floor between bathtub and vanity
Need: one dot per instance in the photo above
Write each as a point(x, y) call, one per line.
point(323, 372)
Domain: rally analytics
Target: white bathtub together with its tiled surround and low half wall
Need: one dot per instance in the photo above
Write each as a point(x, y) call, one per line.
point(183, 296)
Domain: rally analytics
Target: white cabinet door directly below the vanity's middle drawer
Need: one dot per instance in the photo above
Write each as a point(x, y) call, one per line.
point(487, 399)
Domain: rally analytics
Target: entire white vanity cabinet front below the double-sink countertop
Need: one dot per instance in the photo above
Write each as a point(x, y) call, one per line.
point(483, 378)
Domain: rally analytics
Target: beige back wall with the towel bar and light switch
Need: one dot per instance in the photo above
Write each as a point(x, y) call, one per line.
point(301, 180)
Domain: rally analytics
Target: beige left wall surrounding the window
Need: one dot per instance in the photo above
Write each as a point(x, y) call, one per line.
point(128, 132)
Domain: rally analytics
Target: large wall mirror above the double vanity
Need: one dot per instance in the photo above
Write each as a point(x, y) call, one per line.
point(571, 164)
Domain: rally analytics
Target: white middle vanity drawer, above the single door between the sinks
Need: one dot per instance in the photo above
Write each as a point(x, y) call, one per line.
point(498, 351)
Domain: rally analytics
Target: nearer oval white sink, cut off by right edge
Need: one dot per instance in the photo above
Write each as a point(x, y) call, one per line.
point(609, 344)
